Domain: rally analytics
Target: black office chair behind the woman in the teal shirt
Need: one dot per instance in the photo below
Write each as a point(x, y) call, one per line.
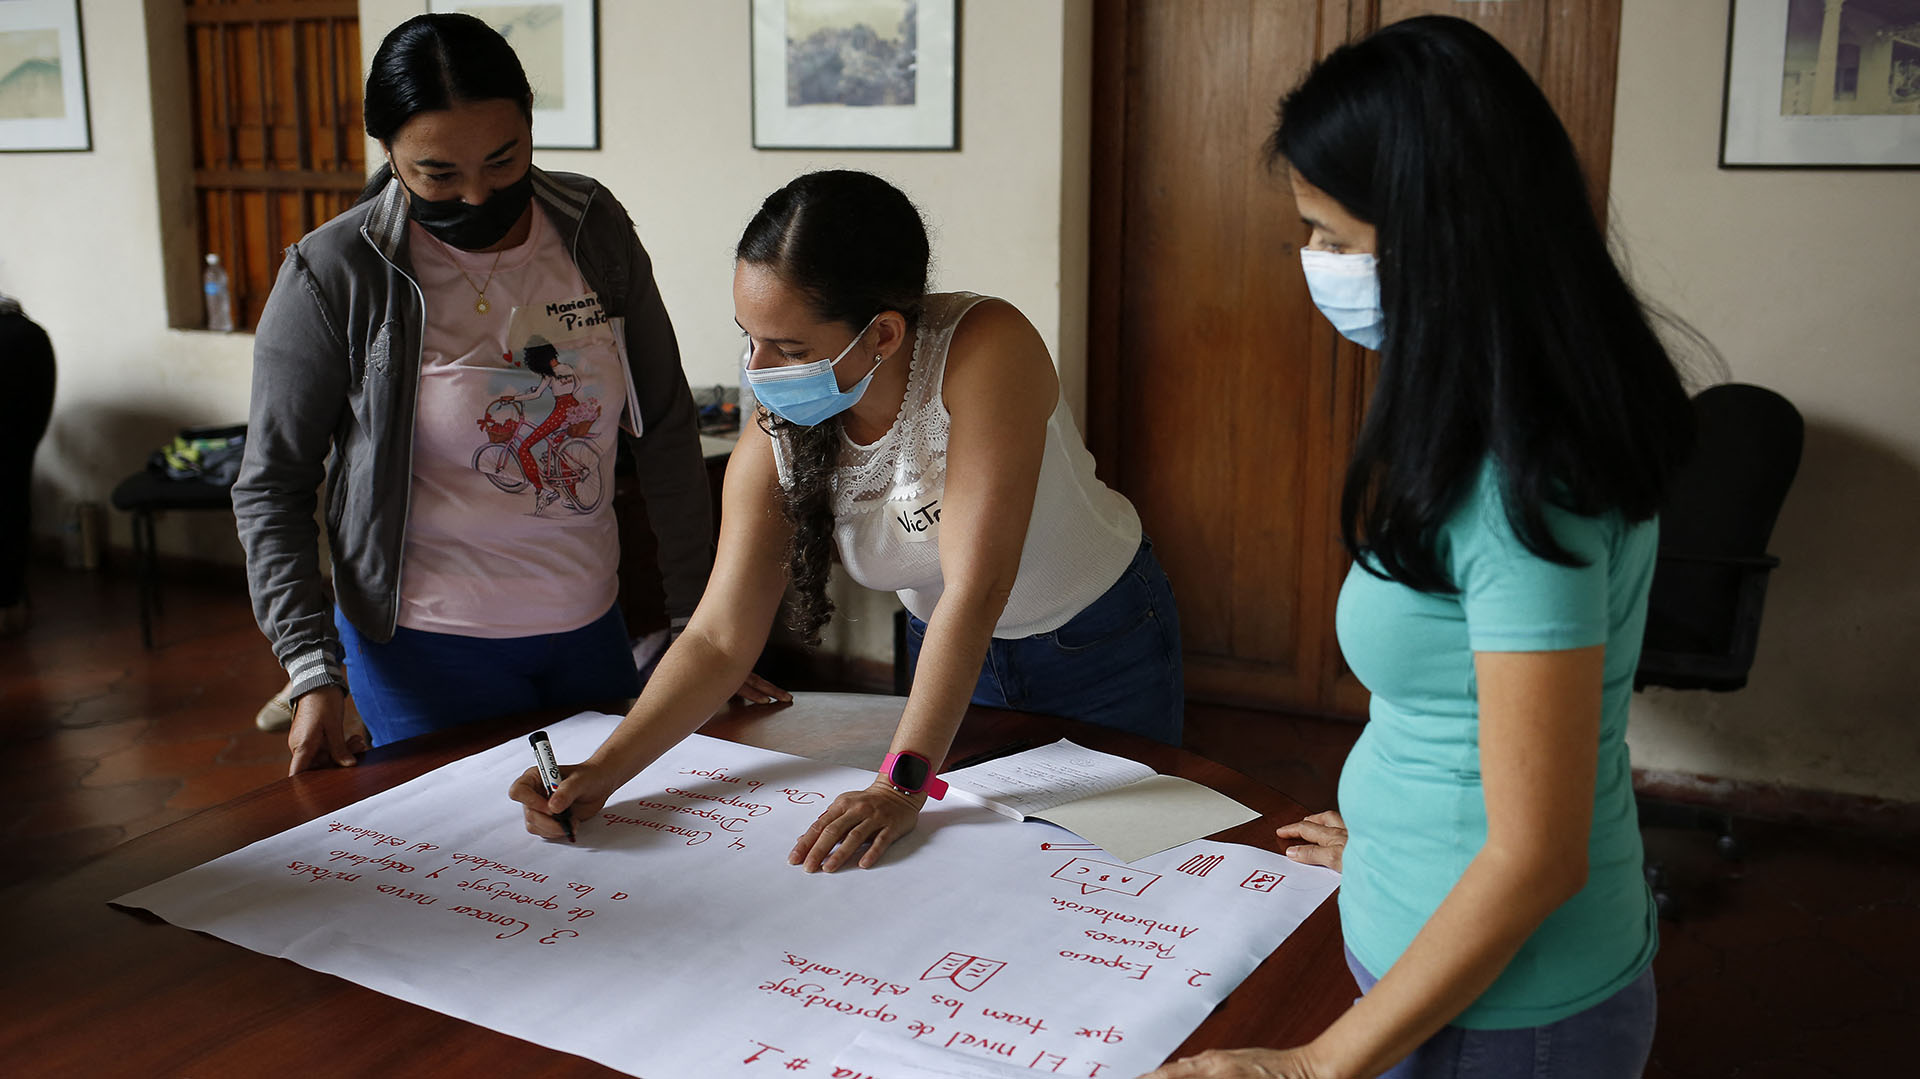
point(1710, 583)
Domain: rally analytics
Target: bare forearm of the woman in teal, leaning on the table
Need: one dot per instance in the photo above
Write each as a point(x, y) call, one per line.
point(1452, 961)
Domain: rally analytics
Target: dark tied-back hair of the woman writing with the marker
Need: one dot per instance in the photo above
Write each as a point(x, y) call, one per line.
point(853, 247)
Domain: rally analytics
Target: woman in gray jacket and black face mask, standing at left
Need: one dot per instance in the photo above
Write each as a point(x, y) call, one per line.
point(396, 337)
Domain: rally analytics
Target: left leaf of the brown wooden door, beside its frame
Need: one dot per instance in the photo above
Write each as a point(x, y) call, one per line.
point(1212, 320)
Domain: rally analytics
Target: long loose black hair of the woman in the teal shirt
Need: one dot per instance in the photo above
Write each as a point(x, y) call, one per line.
point(1510, 329)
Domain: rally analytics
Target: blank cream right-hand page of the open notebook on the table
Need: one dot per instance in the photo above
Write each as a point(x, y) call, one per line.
point(1149, 817)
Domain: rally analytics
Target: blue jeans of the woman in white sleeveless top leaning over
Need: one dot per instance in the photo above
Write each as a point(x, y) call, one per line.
point(1116, 663)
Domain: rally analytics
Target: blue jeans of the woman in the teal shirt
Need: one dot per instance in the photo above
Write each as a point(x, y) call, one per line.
point(1608, 1042)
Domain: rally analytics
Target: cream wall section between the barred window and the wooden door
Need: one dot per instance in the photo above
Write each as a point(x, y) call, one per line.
point(677, 149)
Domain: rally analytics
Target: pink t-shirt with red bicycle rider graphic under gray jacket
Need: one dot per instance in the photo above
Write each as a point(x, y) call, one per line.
point(512, 527)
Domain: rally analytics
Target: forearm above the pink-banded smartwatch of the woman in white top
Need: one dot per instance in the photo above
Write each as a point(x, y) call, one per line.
point(949, 667)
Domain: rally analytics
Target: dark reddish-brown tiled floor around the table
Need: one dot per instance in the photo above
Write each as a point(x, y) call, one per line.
point(1794, 963)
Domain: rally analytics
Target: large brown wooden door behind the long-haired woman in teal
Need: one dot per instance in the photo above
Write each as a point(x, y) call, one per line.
point(1220, 402)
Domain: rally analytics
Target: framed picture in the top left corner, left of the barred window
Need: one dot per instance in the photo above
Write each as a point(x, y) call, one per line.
point(43, 78)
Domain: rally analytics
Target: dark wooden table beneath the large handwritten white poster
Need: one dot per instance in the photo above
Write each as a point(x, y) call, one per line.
point(91, 990)
